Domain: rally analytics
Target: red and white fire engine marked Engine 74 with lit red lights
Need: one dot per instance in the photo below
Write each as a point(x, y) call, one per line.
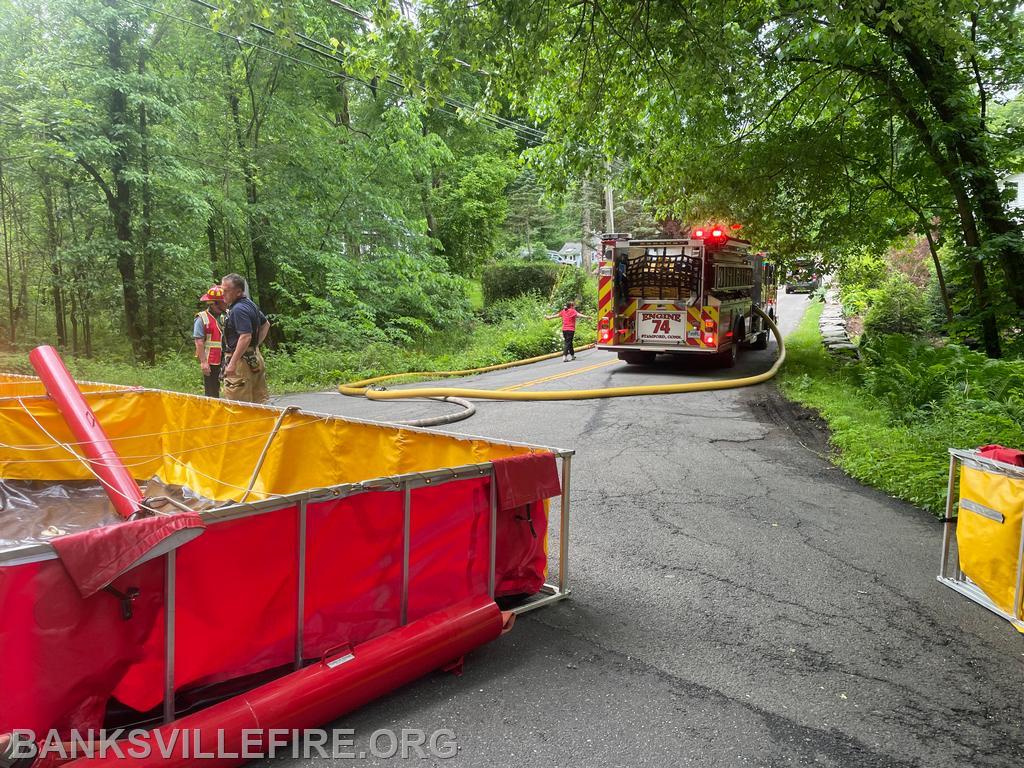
point(694, 295)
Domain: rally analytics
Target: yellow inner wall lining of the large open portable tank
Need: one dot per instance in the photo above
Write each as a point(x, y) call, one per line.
point(212, 446)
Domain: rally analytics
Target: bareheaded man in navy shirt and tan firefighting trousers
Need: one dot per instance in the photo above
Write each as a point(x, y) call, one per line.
point(245, 329)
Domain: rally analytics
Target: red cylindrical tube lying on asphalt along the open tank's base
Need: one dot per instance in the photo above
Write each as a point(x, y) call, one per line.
point(317, 695)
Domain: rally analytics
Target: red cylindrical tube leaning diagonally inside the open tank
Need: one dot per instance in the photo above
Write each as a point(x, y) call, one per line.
point(120, 486)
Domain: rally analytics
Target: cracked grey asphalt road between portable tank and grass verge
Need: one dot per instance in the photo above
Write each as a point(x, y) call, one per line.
point(738, 602)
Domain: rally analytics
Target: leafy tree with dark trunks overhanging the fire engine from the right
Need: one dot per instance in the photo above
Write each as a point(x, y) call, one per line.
point(825, 129)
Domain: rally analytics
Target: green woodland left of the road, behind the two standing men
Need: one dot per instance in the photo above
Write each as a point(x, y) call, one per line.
point(151, 149)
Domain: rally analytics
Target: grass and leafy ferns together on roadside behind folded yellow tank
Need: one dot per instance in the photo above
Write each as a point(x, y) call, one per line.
point(893, 416)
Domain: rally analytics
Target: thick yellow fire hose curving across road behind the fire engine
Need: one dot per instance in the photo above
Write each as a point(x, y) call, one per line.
point(363, 389)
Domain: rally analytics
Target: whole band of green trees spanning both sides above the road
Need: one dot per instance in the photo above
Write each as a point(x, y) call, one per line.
point(361, 162)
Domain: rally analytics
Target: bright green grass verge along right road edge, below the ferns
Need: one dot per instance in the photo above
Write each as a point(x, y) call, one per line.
point(900, 450)
